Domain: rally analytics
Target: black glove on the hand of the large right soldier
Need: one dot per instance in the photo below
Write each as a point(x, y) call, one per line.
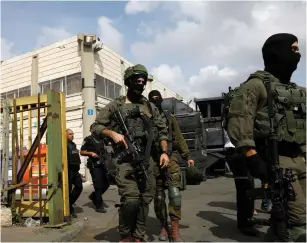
point(257, 167)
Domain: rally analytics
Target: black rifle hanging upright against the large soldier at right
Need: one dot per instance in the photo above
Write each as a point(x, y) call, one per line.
point(280, 189)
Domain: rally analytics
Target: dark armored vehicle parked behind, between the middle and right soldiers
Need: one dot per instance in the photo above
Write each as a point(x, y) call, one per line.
point(202, 130)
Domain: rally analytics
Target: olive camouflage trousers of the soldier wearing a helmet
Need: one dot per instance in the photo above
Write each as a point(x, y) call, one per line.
point(134, 209)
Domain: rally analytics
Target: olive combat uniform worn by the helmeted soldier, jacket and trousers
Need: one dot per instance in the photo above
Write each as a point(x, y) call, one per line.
point(134, 208)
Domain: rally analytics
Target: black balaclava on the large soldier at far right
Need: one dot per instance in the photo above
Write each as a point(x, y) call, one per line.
point(279, 58)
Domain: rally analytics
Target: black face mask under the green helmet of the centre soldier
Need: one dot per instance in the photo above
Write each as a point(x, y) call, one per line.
point(135, 89)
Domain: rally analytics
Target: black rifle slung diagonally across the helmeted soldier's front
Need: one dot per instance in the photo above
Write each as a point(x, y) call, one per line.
point(134, 148)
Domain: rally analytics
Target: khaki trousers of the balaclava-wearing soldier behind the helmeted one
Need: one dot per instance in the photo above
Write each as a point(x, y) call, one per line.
point(170, 179)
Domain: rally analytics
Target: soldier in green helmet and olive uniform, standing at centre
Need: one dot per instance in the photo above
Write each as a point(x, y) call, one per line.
point(134, 208)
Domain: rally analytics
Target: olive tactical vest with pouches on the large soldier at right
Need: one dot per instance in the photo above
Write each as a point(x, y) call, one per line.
point(289, 105)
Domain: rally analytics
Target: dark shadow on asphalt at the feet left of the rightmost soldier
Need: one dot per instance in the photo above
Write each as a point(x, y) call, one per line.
point(226, 228)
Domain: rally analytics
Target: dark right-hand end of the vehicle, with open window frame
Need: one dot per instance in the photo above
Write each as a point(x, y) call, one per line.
point(215, 136)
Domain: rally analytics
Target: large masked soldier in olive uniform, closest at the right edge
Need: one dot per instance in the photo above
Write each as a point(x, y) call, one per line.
point(248, 124)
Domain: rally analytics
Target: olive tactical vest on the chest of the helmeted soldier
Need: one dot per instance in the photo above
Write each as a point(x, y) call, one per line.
point(132, 114)
